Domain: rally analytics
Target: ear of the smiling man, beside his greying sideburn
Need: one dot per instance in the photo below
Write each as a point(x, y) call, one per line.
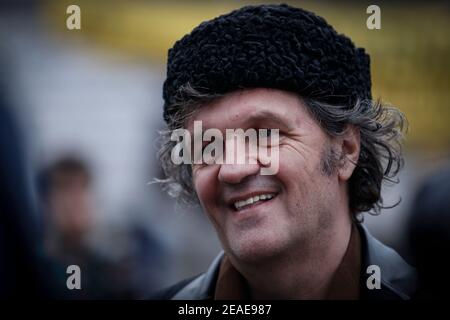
point(350, 144)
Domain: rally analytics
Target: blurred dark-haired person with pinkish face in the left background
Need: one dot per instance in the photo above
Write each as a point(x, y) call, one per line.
point(69, 222)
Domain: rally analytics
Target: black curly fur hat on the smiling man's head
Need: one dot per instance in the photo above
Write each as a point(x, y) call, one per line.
point(272, 46)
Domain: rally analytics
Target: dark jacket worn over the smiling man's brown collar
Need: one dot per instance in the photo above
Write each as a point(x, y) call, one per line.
point(398, 279)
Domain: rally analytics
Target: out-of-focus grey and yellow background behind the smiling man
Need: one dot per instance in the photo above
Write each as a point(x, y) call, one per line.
point(87, 104)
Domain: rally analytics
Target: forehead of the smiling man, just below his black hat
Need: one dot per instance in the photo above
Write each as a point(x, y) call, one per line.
point(244, 108)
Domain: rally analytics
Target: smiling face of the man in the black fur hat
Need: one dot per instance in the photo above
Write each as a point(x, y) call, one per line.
point(297, 201)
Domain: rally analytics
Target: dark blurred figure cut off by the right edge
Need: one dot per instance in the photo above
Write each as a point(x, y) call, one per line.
point(429, 235)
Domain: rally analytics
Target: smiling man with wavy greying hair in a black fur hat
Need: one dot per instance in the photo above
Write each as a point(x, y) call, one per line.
point(296, 233)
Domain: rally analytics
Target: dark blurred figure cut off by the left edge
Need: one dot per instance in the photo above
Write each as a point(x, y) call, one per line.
point(25, 270)
